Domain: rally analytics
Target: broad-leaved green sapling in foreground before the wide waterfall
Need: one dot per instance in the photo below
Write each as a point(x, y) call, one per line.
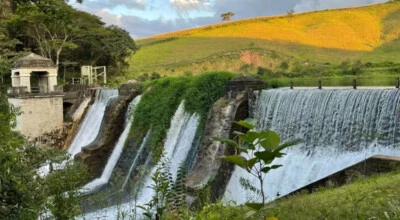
point(261, 148)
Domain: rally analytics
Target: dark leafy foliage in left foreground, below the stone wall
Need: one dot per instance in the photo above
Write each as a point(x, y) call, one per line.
point(23, 193)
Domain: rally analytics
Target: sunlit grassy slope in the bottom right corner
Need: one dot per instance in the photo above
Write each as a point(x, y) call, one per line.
point(365, 199)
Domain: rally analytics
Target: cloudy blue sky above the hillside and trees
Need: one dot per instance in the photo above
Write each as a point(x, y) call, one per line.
point(144, 18)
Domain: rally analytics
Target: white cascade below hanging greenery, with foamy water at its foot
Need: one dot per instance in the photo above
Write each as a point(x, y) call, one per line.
point(176, 148)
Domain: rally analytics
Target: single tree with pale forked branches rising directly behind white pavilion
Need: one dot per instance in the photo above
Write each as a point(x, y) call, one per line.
point(52, 26)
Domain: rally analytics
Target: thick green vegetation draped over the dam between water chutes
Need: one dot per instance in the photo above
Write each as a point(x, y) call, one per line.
point(163, 97)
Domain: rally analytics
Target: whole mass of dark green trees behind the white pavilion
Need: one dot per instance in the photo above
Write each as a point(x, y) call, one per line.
point(53, 29)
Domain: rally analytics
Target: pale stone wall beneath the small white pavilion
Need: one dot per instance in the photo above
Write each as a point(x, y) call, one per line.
point(40, 114)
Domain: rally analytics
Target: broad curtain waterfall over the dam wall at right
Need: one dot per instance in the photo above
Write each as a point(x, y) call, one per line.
point(338, 128)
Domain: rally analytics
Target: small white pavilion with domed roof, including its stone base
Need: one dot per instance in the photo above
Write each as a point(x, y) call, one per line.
point(34, 90)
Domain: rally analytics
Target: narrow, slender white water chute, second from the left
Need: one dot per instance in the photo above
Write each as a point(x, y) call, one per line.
point(112, 161)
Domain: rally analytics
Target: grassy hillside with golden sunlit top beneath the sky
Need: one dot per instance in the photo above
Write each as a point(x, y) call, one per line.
point(329, 37)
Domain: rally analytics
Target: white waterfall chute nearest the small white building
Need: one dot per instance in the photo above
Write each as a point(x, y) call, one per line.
point(90, 126)
